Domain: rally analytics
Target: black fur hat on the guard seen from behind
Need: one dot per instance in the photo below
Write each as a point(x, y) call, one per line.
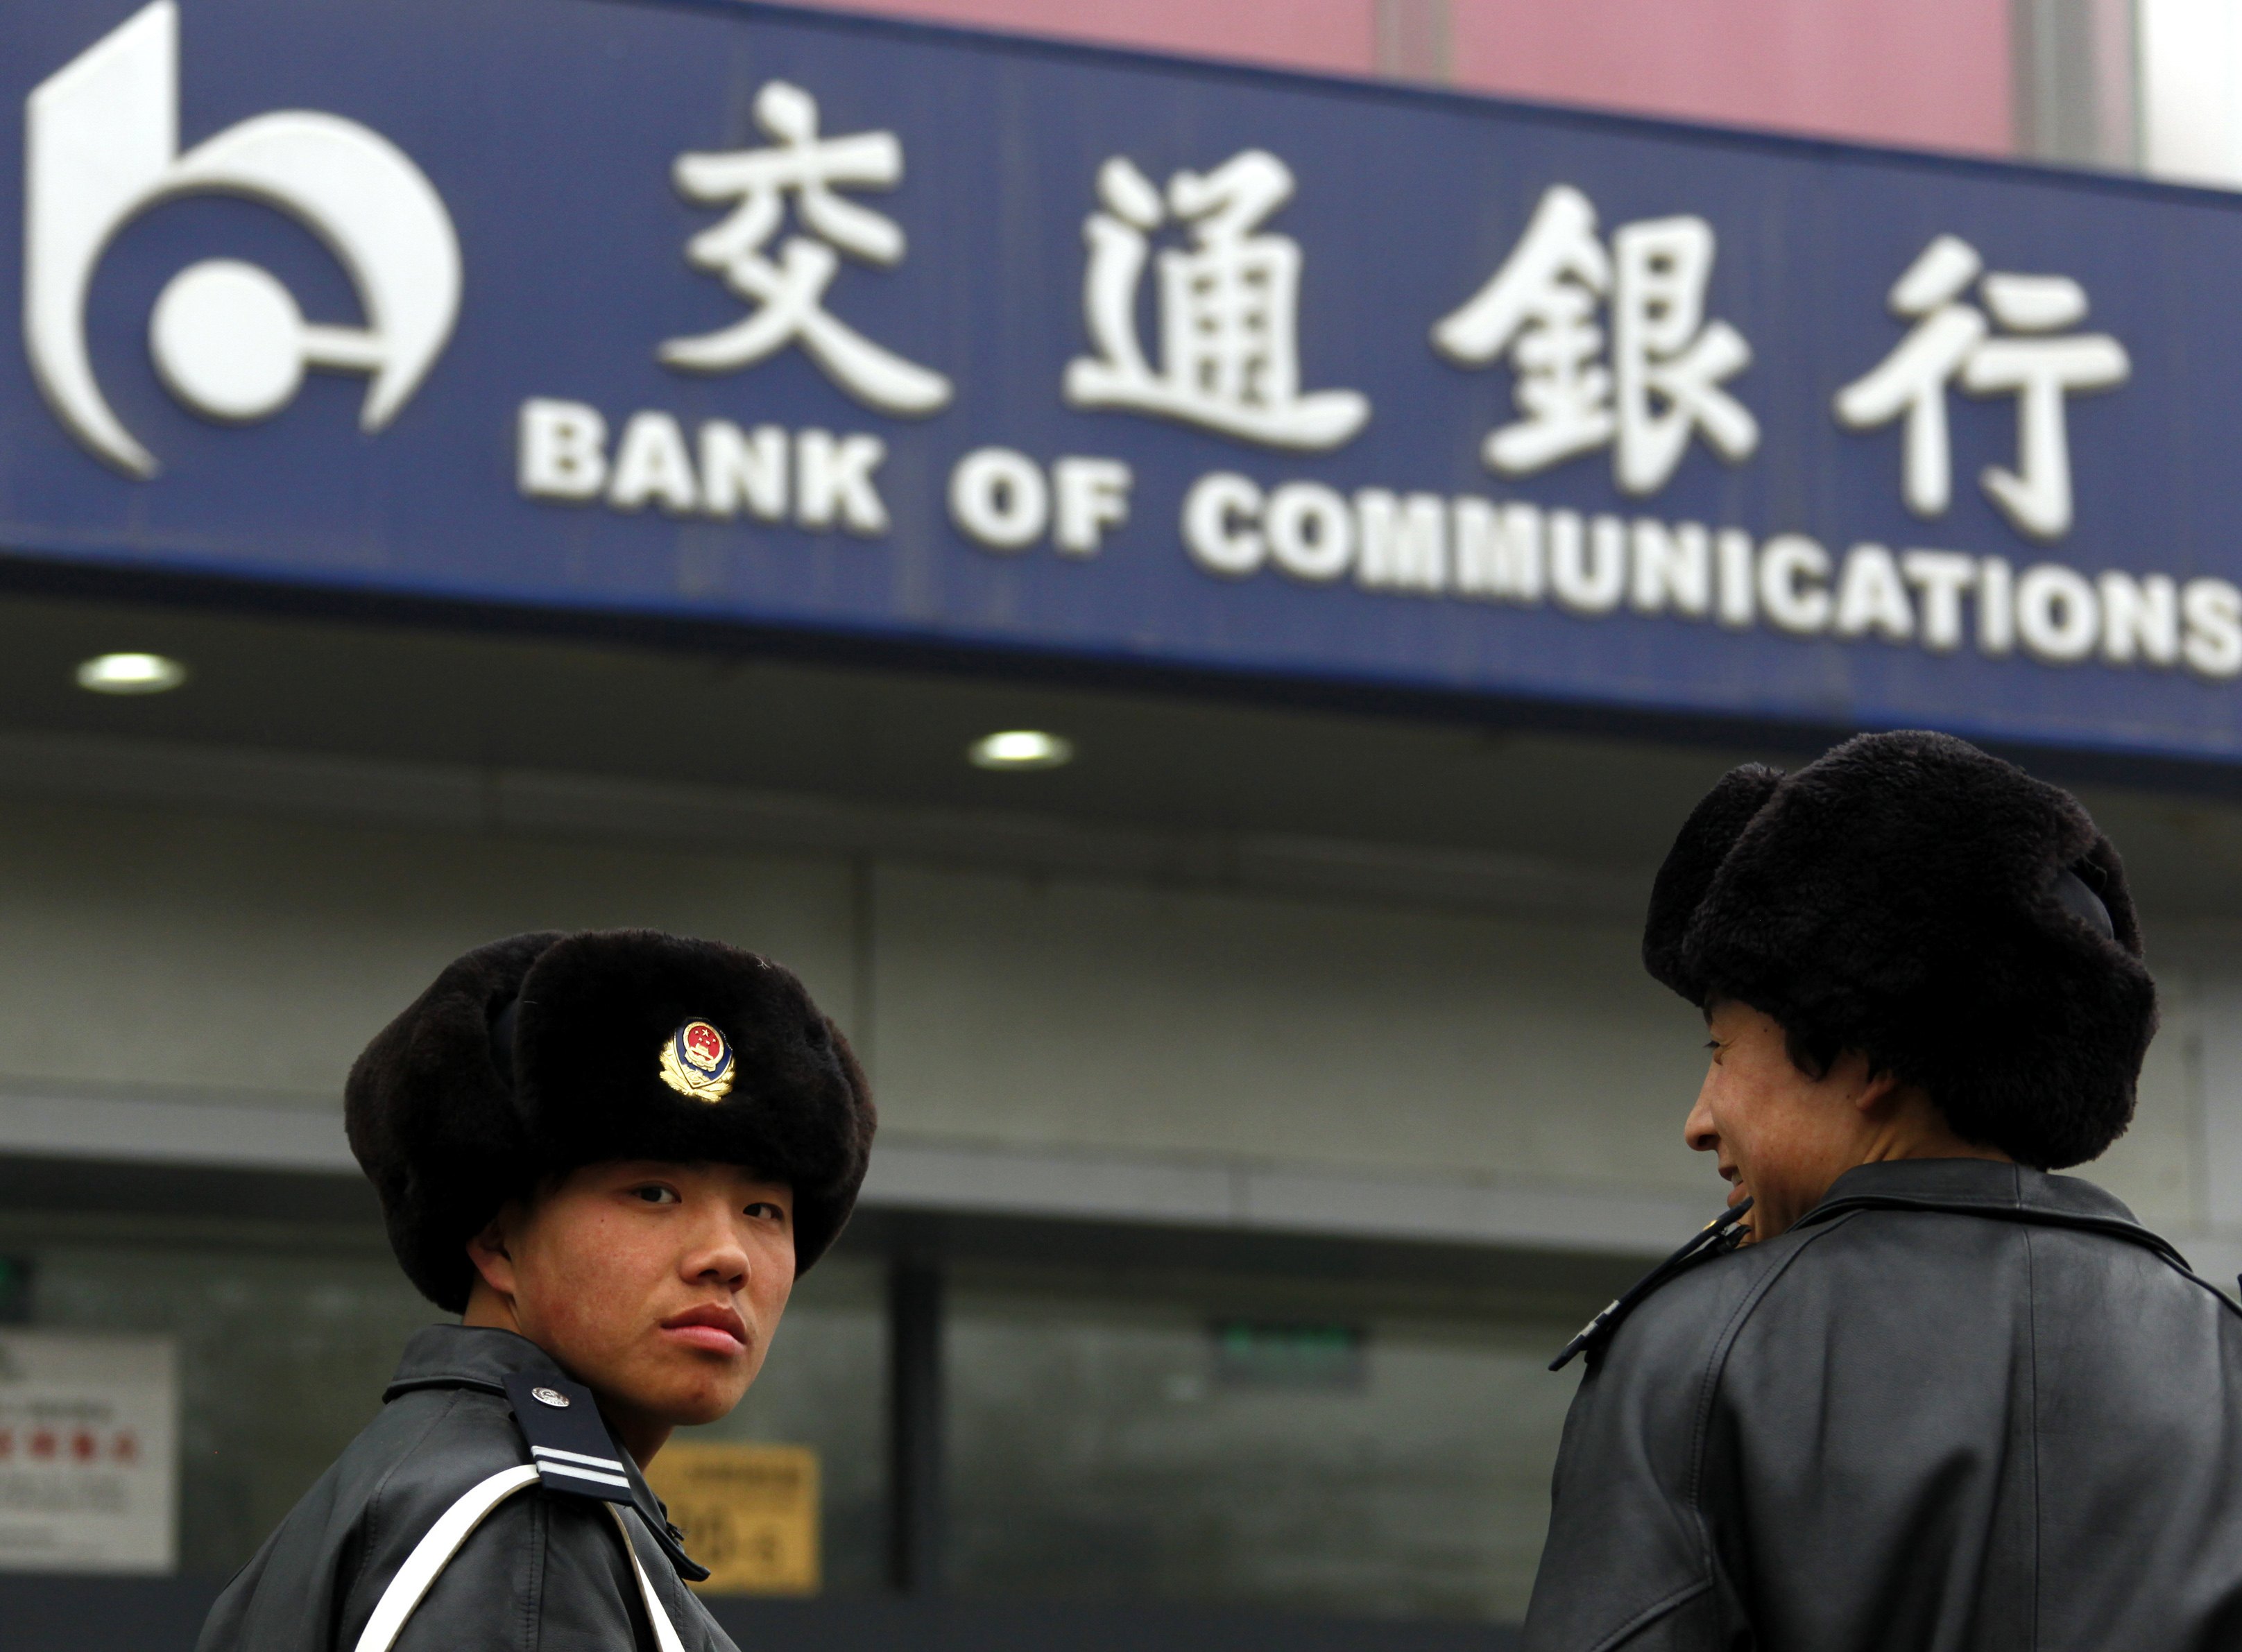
point(1936, 909)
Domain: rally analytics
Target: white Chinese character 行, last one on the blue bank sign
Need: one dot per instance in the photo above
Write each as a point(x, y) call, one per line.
point(1954, 342)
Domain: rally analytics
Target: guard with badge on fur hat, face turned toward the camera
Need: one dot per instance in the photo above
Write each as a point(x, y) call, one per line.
point(611, 1153)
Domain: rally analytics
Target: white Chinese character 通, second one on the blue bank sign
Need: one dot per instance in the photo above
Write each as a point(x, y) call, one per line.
point(1230, 355)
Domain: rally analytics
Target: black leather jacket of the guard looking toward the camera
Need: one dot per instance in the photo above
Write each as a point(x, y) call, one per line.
point(544, 1575)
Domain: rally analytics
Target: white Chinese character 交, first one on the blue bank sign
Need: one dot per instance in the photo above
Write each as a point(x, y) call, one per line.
point(790, 288)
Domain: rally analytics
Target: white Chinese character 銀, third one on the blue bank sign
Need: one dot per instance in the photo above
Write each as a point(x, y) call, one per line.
point(1669, 364)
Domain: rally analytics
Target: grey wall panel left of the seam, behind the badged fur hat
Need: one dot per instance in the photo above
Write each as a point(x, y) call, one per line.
point(180, 954)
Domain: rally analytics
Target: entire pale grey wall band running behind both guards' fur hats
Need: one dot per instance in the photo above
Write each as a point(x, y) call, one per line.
point(189, 976)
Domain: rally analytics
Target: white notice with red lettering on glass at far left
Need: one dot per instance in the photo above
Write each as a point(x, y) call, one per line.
point(89, 1454)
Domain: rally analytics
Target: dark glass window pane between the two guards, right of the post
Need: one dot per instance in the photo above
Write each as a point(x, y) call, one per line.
point(1310, 1447)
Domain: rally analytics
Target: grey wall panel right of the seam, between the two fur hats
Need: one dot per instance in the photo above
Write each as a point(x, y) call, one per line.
point(1151, 1021)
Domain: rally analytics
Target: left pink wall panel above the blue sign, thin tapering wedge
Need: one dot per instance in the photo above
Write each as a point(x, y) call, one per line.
point(1297, 35)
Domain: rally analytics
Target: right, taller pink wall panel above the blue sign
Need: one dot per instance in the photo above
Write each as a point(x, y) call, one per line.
point(1920, 73)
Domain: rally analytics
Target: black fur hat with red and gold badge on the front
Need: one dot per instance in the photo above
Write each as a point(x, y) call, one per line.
point(548, 1052)
